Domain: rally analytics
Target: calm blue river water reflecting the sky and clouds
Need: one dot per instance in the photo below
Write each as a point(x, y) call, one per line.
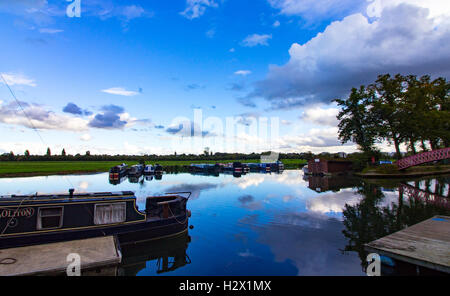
point(262, 224)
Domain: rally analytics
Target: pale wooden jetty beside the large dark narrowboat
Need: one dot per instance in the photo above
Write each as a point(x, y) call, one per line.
point(50, 259)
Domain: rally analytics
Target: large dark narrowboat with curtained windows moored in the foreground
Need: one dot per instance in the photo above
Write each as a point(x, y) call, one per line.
point(38, 219)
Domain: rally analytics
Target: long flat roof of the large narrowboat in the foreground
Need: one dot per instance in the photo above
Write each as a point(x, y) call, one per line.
point(77, 196)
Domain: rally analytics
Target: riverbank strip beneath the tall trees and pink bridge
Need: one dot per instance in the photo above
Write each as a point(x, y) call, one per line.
point(391, 172)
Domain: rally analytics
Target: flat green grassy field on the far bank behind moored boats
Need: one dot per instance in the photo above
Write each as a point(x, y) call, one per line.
point(35, 168)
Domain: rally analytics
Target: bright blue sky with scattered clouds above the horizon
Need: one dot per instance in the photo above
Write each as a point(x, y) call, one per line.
point(115, 79)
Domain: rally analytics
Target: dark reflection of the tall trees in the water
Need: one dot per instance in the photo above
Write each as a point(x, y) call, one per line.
point(370, 219)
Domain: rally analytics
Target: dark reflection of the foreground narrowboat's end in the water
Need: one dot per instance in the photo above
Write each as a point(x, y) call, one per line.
point(169, 254)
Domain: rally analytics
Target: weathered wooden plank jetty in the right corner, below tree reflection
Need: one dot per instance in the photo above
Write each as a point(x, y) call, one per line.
point(426, 244)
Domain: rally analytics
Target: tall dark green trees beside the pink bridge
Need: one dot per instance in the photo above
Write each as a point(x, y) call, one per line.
point(400, 110)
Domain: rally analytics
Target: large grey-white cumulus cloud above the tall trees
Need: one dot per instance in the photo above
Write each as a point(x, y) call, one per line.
point(403, 39)
